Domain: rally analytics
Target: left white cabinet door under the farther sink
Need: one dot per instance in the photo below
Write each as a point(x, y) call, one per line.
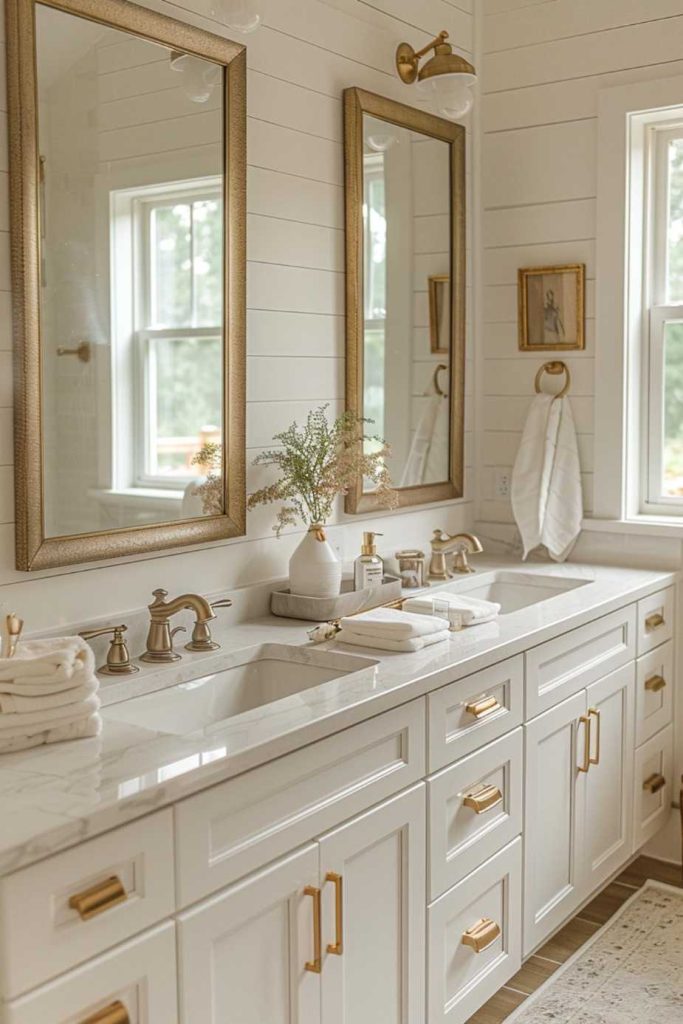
point(556, 793)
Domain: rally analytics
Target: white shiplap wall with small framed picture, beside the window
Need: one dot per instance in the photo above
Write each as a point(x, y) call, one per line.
point(543, 66)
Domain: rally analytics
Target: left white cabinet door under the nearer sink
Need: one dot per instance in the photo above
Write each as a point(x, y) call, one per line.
point(243, 954)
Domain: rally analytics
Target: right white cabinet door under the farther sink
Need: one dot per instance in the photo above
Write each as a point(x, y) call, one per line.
point(609, 830)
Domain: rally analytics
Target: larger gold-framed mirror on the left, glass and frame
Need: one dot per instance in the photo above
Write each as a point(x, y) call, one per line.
point(127, 135)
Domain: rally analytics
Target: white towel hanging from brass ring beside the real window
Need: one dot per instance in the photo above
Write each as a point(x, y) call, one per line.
point(547, 500)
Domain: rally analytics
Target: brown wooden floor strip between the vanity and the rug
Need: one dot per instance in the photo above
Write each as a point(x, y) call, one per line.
point(540, 967)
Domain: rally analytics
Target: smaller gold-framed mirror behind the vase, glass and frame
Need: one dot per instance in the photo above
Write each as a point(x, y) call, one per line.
point(405, 182)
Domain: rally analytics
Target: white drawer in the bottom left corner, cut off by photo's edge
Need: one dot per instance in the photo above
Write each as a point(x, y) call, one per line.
point(138, 979)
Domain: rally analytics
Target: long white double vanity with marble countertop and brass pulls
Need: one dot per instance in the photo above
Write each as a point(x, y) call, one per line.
point(281, 832)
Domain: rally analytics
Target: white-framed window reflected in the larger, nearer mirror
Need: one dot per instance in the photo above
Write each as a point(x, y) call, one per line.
point(167, 352)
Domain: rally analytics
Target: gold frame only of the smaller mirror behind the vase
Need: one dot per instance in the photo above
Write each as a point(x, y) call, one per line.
point(358, 103)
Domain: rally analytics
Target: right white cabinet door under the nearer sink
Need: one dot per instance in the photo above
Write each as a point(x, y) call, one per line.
point(373, 874)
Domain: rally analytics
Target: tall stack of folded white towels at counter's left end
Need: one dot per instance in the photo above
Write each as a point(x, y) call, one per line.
point(49, 694)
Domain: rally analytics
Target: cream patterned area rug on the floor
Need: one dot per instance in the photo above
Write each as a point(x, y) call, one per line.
point(631, 972)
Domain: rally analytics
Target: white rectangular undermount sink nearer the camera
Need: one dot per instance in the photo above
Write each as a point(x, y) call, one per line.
point(268, 674)
